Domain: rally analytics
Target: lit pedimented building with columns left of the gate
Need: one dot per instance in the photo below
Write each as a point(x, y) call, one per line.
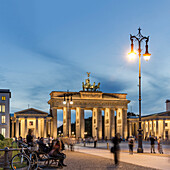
point(40, 122)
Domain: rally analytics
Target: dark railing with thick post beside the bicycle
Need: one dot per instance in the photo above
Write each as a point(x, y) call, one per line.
point(6, 158)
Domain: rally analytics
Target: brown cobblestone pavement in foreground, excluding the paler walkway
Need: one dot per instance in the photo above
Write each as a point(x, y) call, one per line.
point(81, 161)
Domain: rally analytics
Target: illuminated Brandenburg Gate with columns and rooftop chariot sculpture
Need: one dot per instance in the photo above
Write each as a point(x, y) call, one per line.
point(114, 106)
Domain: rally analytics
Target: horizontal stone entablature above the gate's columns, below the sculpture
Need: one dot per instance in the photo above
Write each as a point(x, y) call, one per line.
point(89, 100)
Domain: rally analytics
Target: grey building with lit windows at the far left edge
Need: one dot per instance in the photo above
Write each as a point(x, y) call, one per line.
point(5, 96)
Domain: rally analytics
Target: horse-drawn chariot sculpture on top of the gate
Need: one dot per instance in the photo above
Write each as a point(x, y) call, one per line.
point(88, 87)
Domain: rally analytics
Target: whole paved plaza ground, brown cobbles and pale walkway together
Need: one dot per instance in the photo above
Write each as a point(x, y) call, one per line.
point(100, 158)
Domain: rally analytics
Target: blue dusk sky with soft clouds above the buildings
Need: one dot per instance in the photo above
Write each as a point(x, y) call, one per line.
point(50, 45)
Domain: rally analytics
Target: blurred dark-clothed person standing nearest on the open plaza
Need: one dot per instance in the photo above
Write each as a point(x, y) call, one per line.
point(116, 140)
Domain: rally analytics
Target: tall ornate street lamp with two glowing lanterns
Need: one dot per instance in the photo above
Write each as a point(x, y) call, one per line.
point(139, 38)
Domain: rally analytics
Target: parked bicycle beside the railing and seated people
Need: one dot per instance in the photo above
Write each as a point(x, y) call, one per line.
point(26, 159)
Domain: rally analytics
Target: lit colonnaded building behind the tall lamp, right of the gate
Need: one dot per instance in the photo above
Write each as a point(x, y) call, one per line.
point(157, 124)
